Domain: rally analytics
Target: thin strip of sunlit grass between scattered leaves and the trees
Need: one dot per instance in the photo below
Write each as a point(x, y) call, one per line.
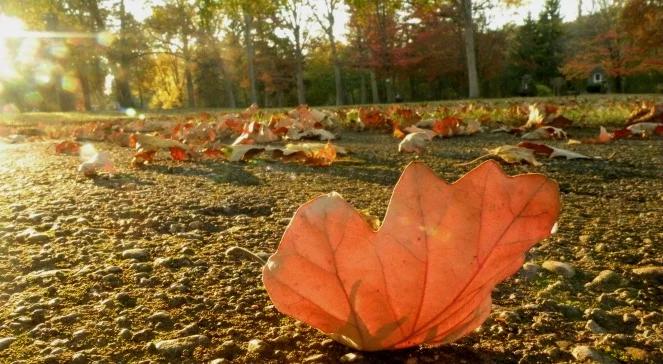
point(585, 110)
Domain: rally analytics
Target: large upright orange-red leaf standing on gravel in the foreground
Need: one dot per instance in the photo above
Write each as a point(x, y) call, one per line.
point(426, 276)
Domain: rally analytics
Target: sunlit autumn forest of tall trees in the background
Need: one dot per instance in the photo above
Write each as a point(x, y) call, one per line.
point(94, 55)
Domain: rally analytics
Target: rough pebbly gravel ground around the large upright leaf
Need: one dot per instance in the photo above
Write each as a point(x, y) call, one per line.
point(133, 268)
